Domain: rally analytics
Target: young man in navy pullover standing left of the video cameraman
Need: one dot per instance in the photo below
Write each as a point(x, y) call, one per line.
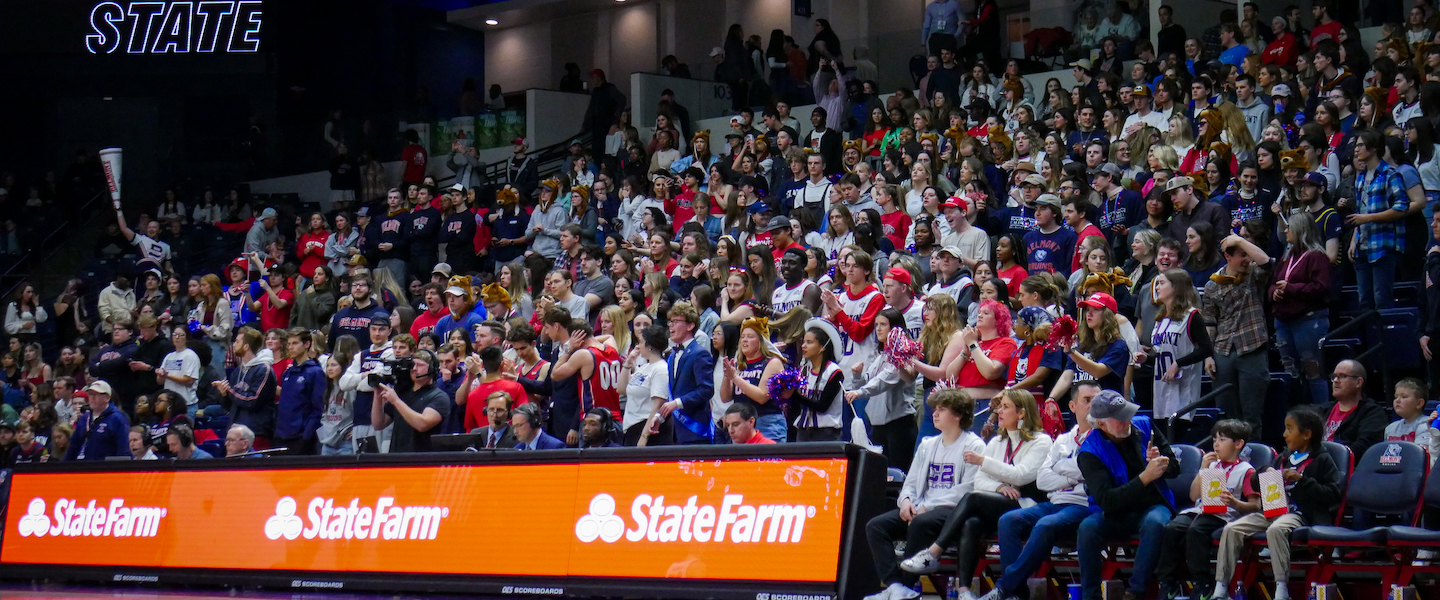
point(302, 398)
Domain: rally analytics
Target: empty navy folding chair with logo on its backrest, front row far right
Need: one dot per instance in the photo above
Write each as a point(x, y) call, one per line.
point(1390, 480)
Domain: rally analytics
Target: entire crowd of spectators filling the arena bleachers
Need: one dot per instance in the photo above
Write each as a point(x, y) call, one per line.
point(1038, 304)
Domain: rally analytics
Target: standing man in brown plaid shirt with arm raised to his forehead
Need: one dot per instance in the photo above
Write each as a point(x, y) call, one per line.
point(1235, 307)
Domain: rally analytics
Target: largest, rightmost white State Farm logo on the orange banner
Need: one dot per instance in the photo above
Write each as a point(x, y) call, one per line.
point(653, 520)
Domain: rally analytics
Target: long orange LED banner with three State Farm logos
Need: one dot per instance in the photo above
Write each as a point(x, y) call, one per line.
point(754, 520)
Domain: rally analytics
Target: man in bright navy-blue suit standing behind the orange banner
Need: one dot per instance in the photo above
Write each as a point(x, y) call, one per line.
point(692, 379)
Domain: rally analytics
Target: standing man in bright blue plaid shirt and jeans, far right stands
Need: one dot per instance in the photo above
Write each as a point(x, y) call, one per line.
point(1380, 229)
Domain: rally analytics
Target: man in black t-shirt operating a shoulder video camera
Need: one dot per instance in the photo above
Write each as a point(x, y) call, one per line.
point(418, 412)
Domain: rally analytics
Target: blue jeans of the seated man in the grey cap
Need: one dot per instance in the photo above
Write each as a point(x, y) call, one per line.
point(1099, 527)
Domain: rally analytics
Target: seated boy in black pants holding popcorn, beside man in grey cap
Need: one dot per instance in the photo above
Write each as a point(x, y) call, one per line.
point(1190, 535)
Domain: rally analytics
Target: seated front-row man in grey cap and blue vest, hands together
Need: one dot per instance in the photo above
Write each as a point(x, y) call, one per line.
point(1125, 468)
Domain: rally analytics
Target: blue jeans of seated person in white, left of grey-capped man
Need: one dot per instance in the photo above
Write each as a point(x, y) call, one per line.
point(1026, 539)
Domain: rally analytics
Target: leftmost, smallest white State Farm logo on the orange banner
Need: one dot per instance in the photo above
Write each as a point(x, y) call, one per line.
point(71, 519)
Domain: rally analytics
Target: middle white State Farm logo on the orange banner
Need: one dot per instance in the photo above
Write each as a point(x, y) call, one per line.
point(328, 522)
